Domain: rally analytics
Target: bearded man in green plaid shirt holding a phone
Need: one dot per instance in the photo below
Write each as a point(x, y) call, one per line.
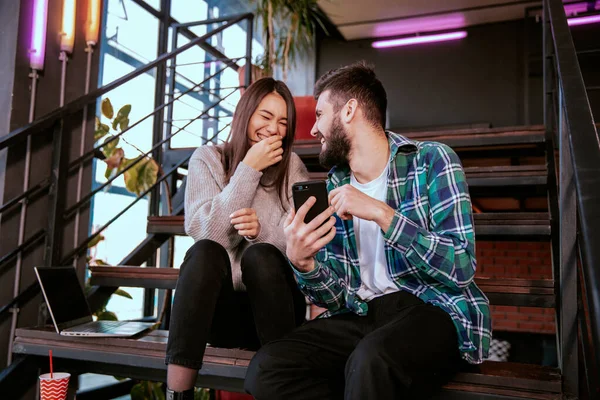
point(394, 268)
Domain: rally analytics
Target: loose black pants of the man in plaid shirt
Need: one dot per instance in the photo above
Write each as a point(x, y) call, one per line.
point(403, 349)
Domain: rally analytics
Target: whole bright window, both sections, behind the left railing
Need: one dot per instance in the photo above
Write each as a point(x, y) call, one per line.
point(130, 40)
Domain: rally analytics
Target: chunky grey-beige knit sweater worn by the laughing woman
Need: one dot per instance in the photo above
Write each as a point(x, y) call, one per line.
point(209, 203)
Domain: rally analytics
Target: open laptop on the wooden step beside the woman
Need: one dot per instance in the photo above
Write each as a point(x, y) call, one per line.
point(69, 308)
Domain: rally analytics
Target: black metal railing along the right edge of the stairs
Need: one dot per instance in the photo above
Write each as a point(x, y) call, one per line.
point(568, 116)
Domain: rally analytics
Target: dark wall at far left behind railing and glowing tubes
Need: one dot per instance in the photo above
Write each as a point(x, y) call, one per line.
point(47, 101)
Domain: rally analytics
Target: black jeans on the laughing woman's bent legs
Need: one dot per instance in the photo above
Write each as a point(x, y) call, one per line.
point(206, 309)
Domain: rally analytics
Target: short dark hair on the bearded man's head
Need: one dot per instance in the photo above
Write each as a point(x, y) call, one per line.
point(355, 81)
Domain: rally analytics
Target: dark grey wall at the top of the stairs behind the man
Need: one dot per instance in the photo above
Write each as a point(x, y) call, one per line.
point(489, 77)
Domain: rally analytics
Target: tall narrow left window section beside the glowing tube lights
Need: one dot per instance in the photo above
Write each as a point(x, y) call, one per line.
point(129, 40)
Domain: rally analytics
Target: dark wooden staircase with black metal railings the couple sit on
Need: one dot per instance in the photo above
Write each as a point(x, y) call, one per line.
point(517, 194)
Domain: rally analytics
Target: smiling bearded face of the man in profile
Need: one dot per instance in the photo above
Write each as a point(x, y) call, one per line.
point(328, 128)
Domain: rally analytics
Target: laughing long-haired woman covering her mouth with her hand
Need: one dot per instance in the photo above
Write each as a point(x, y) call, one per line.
point(236, 288)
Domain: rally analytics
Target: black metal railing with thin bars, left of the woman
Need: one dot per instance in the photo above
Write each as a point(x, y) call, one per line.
point(54, 185)
